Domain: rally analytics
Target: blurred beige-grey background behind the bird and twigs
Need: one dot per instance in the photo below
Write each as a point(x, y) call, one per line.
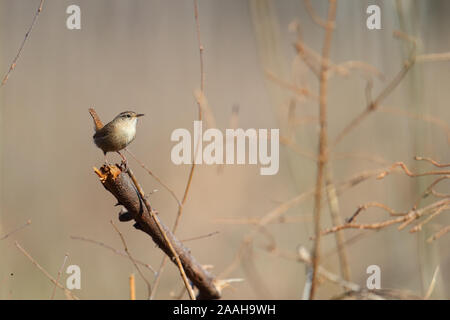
point(143, 56)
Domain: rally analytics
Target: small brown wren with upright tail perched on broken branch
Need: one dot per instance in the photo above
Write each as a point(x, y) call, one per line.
point(117, 134)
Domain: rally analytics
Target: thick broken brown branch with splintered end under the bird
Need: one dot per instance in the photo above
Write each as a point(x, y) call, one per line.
point(120, 185)
